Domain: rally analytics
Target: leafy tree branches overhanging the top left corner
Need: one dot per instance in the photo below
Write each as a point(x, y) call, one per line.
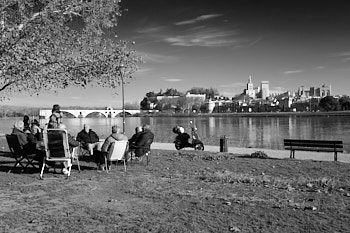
point(54, 44)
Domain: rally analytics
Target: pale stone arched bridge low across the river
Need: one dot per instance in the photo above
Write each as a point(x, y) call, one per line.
point(109, 113)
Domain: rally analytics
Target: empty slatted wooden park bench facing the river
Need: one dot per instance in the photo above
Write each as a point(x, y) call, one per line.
point(313, 145)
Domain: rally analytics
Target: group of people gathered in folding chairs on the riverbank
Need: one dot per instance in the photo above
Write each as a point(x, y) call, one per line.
point(30, 135)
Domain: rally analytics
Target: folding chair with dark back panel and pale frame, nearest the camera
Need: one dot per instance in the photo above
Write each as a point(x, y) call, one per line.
point(57, 149)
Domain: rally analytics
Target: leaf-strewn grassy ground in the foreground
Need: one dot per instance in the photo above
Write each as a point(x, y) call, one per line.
point(180, 191)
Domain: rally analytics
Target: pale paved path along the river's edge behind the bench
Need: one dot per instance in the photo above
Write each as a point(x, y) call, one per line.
point(321, 156)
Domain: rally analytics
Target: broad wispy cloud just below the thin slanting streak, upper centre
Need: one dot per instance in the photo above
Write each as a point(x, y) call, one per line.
point(206, 37)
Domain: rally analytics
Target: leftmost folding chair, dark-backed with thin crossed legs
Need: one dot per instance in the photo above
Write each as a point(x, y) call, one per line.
point(19, 154)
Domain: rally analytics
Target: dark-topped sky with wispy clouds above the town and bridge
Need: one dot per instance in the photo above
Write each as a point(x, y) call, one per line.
point(219, 44)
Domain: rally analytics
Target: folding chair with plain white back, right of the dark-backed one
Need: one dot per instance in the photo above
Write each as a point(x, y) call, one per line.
point(117, 152)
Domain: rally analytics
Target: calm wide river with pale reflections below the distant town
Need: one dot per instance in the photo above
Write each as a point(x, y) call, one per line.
point(242, 131)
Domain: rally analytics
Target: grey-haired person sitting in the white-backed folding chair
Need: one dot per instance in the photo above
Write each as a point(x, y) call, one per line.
point(104, 148)
